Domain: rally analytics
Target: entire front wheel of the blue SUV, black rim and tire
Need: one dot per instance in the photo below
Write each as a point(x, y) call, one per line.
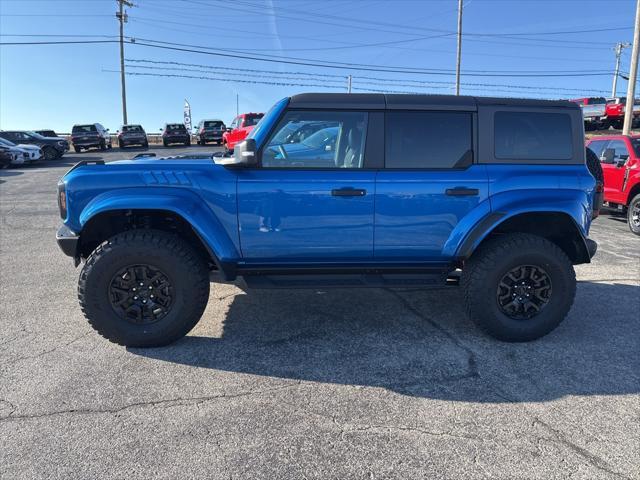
point(144, 288)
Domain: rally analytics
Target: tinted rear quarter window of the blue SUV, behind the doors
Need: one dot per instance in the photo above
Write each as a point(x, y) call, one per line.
point(533, 135)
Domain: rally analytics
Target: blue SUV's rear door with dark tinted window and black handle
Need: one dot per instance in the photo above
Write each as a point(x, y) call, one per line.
point(429, 183)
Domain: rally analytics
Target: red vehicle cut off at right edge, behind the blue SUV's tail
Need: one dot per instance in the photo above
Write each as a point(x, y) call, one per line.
point(620, 158)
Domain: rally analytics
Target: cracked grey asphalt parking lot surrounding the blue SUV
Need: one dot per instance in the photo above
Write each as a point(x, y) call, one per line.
point(310, 384)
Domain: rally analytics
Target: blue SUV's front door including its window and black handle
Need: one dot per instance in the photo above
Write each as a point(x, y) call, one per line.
point(311, 199)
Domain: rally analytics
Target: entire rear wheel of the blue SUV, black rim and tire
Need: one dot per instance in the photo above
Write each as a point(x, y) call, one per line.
point(518, 287)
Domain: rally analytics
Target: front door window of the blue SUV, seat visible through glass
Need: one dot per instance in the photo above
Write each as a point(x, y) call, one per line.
point(317, 140)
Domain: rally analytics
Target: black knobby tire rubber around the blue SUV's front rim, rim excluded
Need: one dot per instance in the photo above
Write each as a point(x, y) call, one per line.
point(185, 268)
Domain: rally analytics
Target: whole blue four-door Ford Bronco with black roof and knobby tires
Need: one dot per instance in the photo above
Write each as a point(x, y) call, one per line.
point(492, 196)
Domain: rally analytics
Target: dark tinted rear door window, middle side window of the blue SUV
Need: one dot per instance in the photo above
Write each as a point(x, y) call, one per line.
point(428, 140)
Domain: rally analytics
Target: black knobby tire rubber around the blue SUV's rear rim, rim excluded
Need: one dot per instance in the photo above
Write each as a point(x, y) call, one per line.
point(497, 256)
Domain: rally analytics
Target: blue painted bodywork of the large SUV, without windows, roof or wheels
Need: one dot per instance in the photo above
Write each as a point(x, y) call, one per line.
point(255, 216)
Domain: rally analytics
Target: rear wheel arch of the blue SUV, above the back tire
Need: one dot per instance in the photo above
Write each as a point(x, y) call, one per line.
point(556, 226)
